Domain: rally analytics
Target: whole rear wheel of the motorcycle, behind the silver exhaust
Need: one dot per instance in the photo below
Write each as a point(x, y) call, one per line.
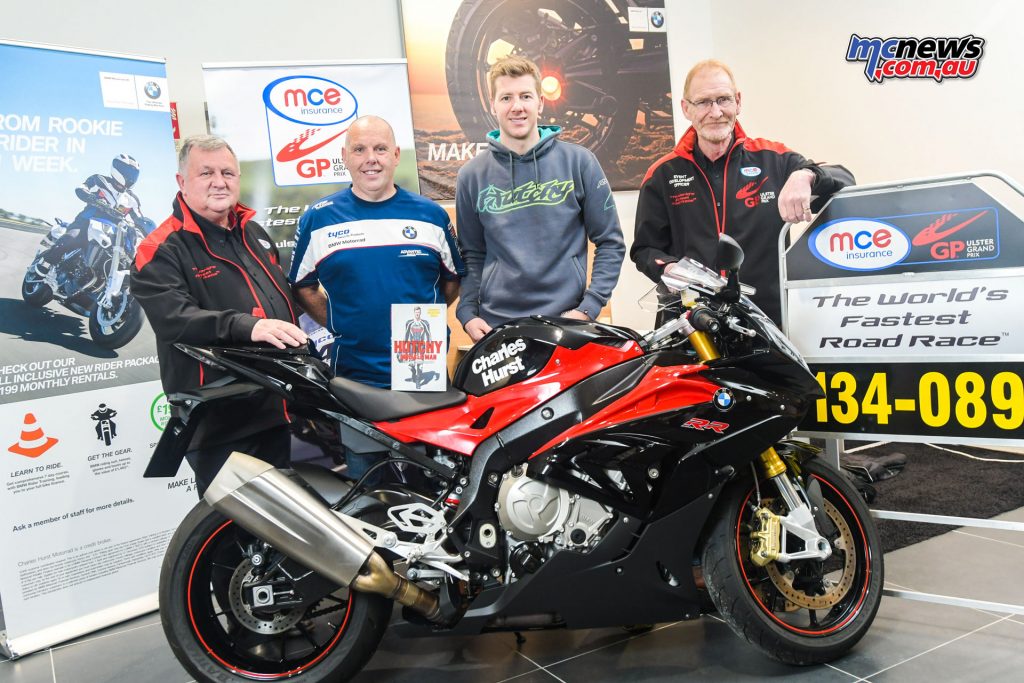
point(216, 633)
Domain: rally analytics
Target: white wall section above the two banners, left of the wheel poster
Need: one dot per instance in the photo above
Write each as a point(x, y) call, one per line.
point(188, 33)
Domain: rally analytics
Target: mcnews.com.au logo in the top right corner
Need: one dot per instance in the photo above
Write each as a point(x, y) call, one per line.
point(906, 58)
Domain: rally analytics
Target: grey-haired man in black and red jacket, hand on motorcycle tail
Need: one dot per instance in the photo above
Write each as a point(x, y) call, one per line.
point(208, 276)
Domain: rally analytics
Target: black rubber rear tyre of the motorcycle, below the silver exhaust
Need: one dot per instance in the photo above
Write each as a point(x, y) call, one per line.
point(364, 628)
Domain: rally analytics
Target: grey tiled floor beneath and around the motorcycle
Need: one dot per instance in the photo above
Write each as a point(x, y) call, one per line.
point(910, 642)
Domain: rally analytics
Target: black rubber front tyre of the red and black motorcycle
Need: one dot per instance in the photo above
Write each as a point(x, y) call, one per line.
point(738, 606)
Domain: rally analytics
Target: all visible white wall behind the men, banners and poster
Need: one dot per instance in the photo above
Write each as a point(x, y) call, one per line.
point(789, 60)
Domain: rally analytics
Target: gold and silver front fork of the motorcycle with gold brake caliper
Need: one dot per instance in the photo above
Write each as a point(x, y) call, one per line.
point(770, 539)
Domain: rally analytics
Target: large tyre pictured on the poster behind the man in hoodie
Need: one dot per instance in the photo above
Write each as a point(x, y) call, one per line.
point(475, 21)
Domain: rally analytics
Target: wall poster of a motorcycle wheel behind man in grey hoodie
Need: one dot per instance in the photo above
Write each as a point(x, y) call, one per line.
point(605, 69)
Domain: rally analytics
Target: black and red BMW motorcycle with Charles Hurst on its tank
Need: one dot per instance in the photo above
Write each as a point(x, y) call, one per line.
point(578, 476)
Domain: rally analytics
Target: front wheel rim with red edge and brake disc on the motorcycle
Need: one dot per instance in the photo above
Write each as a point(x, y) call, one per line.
point(845, 578)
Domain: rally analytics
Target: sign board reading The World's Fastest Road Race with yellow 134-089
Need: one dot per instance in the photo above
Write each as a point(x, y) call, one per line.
point(905, 301)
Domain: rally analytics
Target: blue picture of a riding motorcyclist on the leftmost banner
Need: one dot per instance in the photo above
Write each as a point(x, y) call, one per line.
point(87, 159)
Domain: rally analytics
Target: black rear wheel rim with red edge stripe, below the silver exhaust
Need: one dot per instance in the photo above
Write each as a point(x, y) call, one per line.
point(238, 648)
